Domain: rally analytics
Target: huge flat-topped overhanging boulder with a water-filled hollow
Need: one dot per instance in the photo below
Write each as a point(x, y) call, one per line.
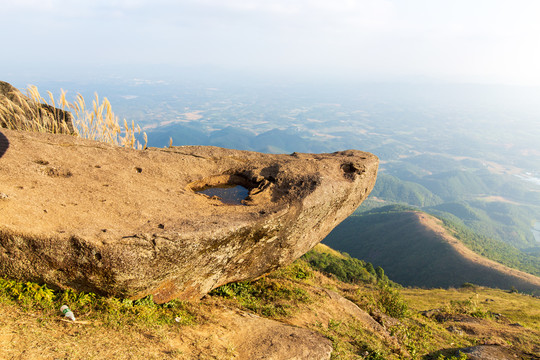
point(94, 217)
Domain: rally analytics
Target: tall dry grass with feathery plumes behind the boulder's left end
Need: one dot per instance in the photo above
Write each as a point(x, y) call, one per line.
point(35, 113)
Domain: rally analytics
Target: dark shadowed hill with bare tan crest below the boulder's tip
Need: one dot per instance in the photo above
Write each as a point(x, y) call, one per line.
point(414, 253)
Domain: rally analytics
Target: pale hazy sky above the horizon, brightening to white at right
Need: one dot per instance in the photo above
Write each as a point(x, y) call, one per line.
point(471, 41)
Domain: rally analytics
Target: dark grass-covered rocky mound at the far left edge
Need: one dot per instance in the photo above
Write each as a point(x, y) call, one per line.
point(18, 111)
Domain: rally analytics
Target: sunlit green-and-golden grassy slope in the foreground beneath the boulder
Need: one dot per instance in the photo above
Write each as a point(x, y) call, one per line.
point(32, 328)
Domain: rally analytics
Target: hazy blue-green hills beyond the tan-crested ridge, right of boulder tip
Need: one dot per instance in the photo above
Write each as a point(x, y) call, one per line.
point(499, 206)
